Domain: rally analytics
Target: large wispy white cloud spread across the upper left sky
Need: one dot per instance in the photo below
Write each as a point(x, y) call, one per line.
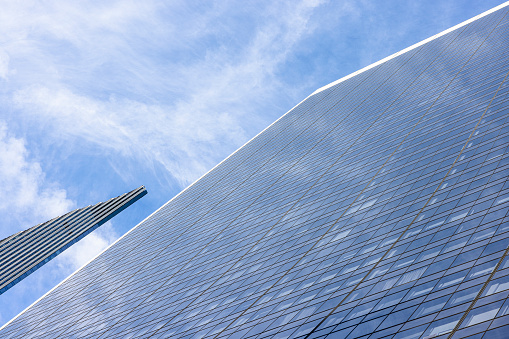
point(217, 91)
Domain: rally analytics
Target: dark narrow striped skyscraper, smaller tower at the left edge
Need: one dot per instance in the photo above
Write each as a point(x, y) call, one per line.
point(24, 252)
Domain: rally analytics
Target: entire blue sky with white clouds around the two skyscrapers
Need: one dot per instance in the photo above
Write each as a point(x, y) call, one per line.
point(98, 98)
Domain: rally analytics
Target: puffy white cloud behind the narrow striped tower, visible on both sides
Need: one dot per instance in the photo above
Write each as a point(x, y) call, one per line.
point(28, 199)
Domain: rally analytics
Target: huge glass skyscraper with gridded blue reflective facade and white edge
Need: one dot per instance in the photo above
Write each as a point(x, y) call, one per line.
point(375, 208)
